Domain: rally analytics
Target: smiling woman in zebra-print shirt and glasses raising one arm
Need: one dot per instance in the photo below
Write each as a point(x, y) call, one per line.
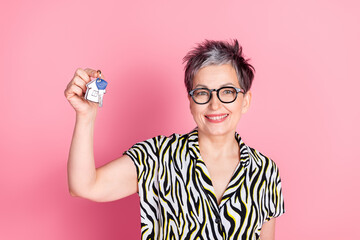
point(229, 191)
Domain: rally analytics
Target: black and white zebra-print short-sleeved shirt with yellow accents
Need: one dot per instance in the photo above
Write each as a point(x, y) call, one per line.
point(178, 201)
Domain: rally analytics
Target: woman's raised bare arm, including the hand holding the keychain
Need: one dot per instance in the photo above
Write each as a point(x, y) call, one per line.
point(112, 181)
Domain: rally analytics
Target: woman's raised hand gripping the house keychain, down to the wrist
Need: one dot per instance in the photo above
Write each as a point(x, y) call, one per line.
point(75, 91)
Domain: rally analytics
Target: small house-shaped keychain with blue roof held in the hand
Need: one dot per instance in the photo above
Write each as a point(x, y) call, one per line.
point(95, 90)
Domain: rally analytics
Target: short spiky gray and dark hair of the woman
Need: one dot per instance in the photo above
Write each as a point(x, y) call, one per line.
point(212, 52)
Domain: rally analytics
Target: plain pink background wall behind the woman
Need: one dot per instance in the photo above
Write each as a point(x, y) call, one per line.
point(305, 110)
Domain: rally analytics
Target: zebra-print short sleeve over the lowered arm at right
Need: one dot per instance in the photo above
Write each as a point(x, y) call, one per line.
point(274, 200)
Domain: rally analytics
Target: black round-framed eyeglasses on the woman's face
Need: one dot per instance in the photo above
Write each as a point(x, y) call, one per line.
point(224, 94)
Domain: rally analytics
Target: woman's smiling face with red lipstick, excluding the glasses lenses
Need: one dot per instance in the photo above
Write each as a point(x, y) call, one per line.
point(216, 118)
